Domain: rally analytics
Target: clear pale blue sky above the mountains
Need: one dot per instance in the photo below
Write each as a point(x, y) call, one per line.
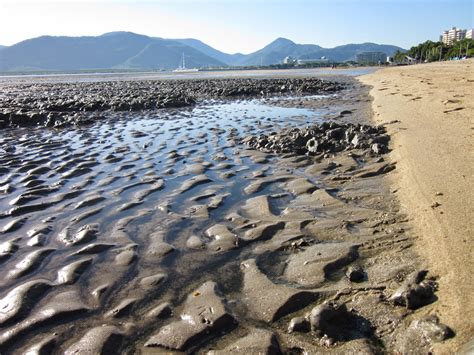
point(240, 25)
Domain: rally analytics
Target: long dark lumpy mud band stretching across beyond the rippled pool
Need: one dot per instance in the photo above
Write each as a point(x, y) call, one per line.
point(59, 104)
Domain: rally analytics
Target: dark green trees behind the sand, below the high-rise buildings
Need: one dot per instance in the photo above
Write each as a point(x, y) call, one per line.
point(430, 51)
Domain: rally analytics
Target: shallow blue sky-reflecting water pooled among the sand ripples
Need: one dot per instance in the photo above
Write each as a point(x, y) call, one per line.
point(141, 144)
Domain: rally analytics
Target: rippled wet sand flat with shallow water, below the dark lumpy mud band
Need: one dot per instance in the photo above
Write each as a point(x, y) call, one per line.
point(160, 230)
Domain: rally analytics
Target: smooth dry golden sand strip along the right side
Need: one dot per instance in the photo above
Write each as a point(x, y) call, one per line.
point(433, 147)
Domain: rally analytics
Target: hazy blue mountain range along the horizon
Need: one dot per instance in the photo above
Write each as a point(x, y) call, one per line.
point(127, 50)
